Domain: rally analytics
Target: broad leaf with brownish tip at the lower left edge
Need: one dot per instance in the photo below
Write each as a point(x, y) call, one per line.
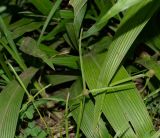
point(11, 97)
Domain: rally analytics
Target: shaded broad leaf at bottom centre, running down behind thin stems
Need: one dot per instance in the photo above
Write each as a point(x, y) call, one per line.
point(88, 117)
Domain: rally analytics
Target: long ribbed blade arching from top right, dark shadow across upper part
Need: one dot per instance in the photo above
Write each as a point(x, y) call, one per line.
point(132, 24)
